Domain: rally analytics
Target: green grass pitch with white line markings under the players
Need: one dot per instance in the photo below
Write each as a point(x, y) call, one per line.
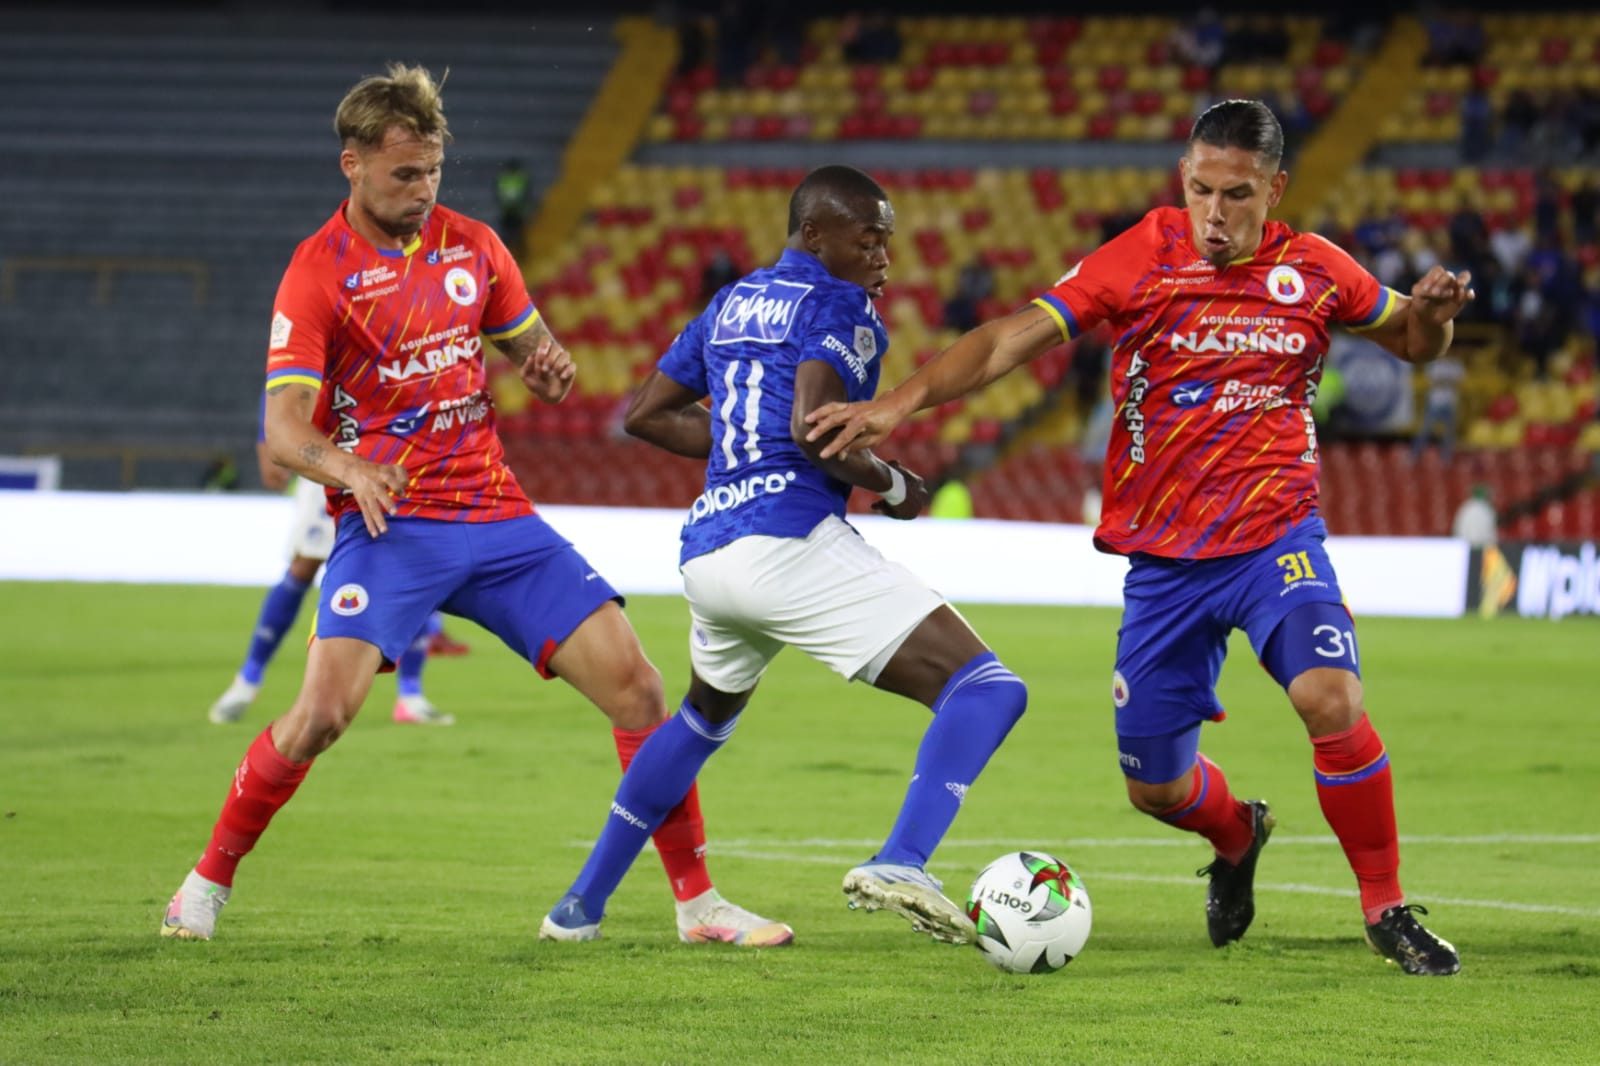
point(390, 913)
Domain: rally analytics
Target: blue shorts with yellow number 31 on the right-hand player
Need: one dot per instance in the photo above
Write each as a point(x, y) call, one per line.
point(1175, 627)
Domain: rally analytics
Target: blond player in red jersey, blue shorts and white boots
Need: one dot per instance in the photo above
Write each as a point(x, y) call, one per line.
point(377, 390)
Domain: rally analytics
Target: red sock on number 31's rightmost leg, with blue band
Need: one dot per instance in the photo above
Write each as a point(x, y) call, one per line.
point(1358, 799)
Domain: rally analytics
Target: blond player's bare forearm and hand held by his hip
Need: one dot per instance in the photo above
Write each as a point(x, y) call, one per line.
point(295, 443)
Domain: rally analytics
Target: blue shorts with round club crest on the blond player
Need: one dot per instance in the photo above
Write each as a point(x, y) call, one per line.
point(518, 579)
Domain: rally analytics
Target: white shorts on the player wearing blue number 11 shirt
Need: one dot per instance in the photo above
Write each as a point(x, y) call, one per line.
point(830, 595)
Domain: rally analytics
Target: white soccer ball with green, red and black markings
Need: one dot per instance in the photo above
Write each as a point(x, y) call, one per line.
point(1031, 912)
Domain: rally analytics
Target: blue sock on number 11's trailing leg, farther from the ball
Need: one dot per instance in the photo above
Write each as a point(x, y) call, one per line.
point(655, 783)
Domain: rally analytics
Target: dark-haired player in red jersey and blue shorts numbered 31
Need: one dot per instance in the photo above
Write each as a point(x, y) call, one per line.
point(1222, 326)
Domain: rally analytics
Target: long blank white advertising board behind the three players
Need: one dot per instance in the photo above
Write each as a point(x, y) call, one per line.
point(196, 539)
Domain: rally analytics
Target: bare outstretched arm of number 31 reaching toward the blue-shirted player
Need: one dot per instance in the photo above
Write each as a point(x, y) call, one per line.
point(977, 359)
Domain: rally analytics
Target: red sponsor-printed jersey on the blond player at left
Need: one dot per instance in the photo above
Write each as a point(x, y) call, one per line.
point(393, 340)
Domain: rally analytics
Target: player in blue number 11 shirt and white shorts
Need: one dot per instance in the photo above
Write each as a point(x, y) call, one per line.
point(769, 559)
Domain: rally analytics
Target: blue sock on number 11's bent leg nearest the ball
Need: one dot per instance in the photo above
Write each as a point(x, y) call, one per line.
point(972, 716)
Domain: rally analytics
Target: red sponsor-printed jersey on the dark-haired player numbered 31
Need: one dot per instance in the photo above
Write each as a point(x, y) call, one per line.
point(1214, 449)
